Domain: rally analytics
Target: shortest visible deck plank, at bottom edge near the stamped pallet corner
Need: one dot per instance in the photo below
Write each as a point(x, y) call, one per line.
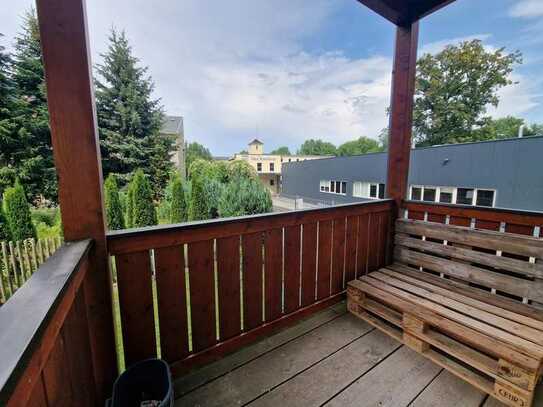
point(448, 390)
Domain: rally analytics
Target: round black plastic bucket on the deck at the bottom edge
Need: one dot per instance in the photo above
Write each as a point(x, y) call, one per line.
point(146, 383)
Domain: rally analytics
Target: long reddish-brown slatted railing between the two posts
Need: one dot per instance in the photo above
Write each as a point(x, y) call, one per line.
point(222, 284)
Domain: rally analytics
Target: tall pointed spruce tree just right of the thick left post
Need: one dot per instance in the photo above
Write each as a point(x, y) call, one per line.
point(129, 118)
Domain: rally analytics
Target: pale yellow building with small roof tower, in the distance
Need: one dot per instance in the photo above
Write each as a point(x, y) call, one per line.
point(269, 166)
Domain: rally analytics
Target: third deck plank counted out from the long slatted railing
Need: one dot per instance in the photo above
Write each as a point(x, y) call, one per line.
point(322, 381)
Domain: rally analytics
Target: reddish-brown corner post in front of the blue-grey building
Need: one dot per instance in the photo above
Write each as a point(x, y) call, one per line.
point(401, 111)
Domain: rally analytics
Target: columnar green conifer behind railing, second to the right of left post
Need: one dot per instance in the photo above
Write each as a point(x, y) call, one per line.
point(143, 210)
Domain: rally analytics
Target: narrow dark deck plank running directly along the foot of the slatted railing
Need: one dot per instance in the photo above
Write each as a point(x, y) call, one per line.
point(210, 372)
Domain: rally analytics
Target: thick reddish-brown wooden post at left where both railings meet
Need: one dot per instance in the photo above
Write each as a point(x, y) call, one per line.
point(64, 41)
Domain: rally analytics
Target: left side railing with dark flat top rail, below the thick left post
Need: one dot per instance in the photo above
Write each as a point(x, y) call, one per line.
point(44, 336)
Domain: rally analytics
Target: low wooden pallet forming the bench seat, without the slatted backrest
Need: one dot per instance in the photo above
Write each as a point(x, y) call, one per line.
point(503, 359)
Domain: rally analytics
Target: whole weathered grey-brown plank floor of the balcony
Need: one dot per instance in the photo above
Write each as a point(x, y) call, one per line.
point(330, 359)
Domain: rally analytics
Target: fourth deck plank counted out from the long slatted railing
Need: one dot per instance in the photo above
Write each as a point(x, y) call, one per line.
point(395, 382)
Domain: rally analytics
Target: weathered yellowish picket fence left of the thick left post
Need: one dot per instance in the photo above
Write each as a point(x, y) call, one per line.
point(20, 259)
